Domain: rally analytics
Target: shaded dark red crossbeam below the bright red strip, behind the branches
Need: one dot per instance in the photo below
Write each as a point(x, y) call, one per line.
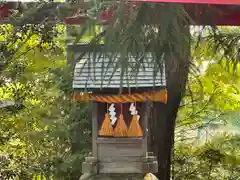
point(221, 15)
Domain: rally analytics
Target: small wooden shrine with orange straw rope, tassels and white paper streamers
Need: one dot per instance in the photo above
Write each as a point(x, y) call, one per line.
point(119, 121)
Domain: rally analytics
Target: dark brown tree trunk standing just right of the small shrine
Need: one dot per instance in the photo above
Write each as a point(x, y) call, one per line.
point(177, 69)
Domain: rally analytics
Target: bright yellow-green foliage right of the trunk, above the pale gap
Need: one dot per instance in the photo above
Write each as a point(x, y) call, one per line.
point(211, 93)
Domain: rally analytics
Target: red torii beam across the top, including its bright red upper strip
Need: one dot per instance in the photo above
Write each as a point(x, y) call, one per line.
point(218, 12)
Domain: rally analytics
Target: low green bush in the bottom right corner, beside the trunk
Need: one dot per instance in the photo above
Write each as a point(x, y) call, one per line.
point(218, 159)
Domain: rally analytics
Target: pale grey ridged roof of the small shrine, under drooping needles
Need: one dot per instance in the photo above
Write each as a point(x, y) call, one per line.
point(102, 74)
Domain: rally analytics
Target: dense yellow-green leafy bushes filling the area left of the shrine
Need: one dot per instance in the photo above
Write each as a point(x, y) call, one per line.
point(49, 136)
